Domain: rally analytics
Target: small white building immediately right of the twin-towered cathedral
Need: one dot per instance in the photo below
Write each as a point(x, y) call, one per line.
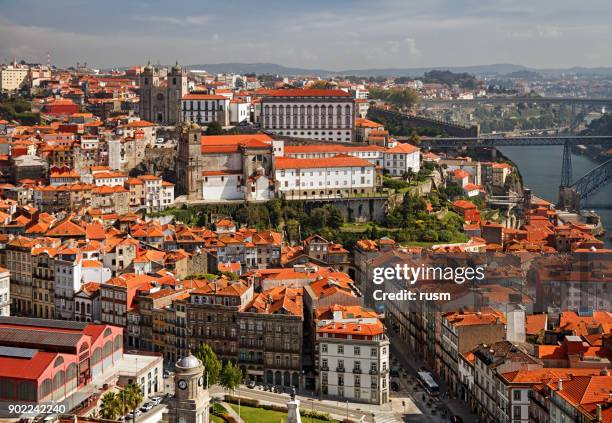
point(205, 108)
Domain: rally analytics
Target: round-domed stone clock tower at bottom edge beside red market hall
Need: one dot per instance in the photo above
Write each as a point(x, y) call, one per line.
point(191, 400)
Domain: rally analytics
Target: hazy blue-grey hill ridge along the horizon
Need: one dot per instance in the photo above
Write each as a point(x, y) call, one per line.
point(478, 70)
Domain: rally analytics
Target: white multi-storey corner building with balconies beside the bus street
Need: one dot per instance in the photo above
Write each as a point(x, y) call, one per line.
point(353, 356)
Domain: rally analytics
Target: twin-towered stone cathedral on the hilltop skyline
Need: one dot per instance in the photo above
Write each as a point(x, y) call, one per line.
point(161, 92)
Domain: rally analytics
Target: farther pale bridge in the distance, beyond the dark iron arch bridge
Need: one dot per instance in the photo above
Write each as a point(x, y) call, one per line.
point(510, 100)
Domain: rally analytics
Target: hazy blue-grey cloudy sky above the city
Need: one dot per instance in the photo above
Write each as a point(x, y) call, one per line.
point(316, 34)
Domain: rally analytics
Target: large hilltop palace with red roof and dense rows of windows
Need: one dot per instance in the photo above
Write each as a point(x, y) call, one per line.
point(310, 113)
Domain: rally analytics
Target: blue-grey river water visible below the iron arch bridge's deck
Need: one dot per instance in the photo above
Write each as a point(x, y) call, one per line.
point(541, 171)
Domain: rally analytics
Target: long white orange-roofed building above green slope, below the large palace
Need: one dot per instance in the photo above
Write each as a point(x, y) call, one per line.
point(337, 176)
